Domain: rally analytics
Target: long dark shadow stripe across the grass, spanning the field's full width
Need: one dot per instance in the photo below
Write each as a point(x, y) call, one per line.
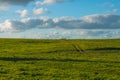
point(15, 59)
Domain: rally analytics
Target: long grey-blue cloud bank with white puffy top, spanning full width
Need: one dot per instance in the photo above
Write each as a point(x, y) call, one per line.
point(104, 21)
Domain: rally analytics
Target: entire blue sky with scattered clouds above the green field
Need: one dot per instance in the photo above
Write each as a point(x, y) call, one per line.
point(56, 19)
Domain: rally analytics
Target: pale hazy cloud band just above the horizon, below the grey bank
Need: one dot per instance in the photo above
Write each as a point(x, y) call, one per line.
point(64, 34)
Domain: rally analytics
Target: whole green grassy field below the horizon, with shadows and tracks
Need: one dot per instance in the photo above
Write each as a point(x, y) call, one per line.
point(33, 59)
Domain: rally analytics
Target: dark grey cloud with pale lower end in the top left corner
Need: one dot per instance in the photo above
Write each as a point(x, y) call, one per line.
point(4, 4)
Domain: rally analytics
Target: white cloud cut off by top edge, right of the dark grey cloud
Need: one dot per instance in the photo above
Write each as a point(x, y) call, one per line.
point(49, 2)
